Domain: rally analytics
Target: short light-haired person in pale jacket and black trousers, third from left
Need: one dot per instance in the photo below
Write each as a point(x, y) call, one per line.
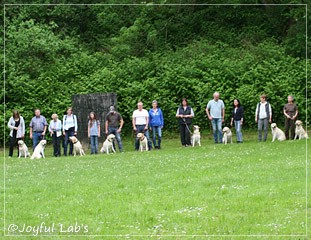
point(55, 129)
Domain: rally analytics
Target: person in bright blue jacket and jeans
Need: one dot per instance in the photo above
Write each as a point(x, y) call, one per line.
point(156, 123)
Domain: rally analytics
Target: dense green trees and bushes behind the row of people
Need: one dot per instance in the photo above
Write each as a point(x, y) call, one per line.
point(161, 50)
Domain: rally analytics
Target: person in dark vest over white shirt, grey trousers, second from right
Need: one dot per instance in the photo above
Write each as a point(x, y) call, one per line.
point(263, 116)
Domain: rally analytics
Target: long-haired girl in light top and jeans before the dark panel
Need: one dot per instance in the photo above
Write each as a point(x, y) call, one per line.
point(93, 132)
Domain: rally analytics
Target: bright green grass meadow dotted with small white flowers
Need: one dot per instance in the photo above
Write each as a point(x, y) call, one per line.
point(234, 191)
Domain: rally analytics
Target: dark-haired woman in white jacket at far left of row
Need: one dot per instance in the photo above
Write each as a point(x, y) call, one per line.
point(17, 126)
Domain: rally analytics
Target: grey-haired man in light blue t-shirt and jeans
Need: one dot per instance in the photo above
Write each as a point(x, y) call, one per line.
point(215, 111)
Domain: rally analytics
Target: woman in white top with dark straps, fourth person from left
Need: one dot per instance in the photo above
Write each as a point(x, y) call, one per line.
point(70, 128)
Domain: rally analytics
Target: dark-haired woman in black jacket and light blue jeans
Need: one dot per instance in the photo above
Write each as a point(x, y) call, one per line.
point(237, 118)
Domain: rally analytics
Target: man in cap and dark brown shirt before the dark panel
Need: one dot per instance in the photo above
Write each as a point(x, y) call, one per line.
point(113, 125)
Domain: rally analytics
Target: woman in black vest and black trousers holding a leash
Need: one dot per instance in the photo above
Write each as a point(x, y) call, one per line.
point(185, 114)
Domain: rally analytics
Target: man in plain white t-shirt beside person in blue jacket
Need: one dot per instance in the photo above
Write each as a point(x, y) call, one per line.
point(140, 121)
